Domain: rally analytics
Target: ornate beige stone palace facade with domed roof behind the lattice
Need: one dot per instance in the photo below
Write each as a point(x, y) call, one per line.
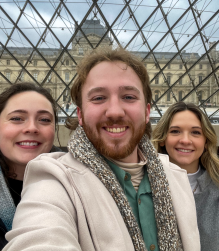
point(55, 68)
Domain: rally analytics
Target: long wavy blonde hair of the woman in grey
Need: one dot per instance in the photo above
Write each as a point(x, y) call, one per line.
point(209, 158)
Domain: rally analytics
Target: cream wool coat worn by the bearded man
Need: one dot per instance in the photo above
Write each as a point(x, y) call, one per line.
point(65, 207)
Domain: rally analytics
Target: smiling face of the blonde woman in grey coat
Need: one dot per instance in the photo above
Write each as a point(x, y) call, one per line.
point(185, 141)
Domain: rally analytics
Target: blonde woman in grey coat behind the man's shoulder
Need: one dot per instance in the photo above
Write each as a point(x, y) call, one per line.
point(187, 136)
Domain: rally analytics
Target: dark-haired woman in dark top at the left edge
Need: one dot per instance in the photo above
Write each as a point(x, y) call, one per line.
point(27, 128)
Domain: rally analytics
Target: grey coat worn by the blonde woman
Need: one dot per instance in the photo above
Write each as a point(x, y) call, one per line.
point(207, 206)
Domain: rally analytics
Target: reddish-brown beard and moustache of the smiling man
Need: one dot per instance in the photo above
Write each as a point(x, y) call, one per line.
point(118, 151)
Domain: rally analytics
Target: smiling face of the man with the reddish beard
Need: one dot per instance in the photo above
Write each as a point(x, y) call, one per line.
point(114, 114)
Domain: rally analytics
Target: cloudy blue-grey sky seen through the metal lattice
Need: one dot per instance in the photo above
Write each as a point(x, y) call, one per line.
point(154, 30)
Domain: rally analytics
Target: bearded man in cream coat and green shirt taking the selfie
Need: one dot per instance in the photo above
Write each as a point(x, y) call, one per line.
point(111, 191)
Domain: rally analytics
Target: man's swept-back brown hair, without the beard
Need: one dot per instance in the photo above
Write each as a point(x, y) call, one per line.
point(108, 55)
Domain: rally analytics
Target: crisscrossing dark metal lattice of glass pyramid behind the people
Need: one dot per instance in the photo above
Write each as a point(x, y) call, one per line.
point(42, 41)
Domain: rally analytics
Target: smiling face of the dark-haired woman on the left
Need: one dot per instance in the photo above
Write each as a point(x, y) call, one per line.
point(27, 128)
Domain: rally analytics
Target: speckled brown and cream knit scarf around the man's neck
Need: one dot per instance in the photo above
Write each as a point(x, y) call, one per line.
point(168, 235)
